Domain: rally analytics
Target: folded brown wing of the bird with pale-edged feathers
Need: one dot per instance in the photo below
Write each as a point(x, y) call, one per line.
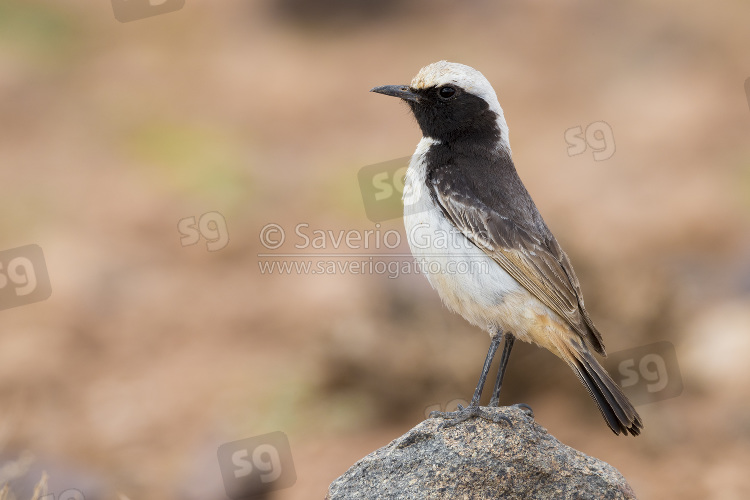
point(539, 265)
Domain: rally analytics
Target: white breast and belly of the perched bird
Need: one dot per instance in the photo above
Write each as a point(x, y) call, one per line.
point(468, 281)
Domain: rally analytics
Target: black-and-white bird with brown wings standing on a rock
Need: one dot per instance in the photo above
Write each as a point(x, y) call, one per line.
point(466, 208)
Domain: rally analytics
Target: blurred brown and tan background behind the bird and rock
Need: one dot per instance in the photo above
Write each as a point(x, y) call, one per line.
point(151, 352)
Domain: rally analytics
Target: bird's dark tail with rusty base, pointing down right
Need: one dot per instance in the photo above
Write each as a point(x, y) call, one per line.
point(614, 406)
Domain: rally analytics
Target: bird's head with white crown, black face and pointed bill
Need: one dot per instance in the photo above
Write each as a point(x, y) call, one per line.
point(453, 102)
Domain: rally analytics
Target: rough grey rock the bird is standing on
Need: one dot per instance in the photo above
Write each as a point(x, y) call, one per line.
point(480, 459)
